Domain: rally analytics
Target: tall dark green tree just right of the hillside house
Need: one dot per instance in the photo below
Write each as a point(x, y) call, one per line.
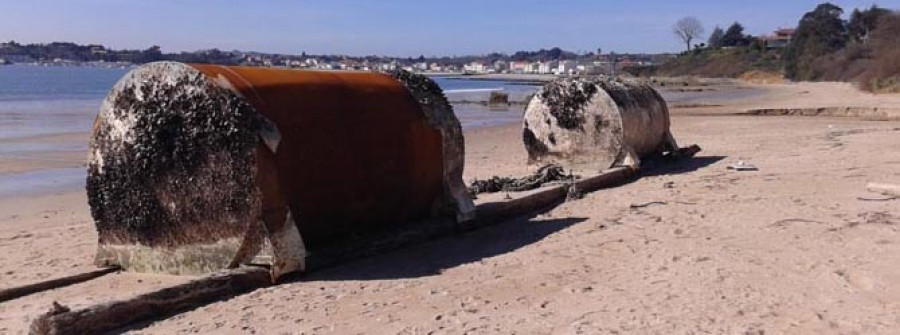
point(819, 33)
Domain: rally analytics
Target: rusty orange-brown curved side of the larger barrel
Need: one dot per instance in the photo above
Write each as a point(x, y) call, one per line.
point(355, 147)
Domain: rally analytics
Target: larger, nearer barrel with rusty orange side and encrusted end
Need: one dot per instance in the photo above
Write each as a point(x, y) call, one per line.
point(195, 168)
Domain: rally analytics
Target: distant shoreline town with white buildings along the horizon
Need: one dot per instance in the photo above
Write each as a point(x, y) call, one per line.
point(546, 61)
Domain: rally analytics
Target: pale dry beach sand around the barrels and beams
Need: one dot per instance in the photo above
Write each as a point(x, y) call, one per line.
point(693, 248)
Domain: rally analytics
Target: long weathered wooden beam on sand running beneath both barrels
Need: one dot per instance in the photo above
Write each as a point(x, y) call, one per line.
point(116, 315)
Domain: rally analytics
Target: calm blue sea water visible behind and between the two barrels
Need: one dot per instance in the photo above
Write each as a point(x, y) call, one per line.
point(37, 103)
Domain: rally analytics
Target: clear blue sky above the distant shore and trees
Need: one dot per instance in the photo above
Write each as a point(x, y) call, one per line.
point(394, 28)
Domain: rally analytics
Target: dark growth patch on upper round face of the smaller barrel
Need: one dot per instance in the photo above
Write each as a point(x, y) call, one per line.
point(566, 100)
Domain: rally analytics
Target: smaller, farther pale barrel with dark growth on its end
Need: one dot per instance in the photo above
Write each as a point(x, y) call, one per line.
point(593, 124)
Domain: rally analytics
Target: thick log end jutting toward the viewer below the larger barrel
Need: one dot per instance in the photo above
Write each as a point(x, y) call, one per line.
point(110, 316)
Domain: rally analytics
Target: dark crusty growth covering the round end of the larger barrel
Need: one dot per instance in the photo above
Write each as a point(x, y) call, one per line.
point(177, 129)
